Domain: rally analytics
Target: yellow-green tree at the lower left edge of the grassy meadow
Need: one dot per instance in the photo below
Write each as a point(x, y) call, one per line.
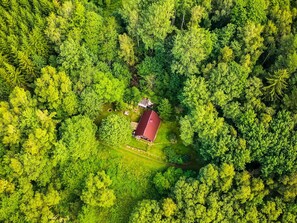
point(97, 192)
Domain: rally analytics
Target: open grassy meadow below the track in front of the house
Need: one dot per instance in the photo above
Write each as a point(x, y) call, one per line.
point(132, 181)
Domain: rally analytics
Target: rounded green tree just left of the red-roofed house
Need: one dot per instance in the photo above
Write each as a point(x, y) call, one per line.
point(115, 130)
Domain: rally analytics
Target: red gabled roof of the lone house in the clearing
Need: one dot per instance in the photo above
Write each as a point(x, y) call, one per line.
point(148, 125)
